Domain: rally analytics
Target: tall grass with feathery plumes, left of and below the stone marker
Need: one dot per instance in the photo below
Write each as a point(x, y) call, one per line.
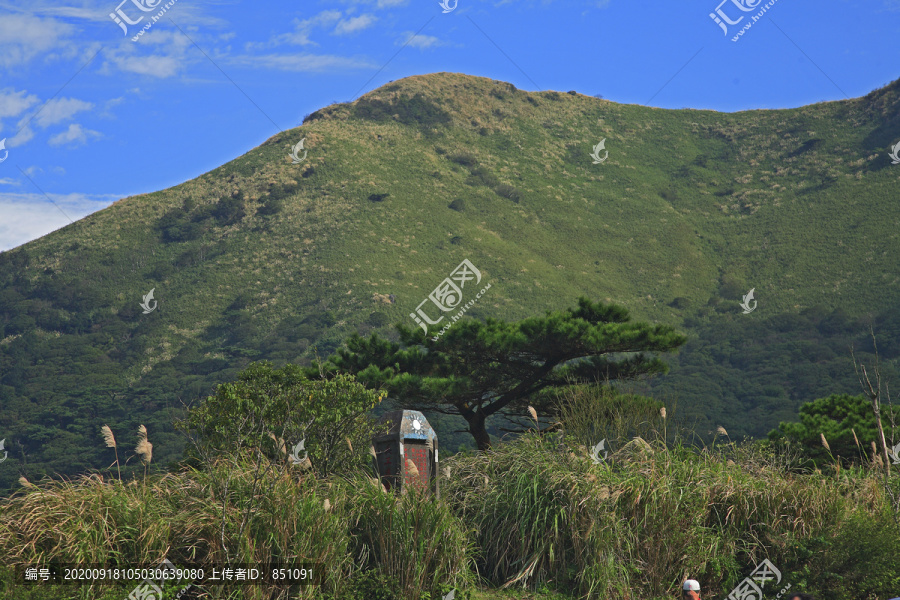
point(344, 526)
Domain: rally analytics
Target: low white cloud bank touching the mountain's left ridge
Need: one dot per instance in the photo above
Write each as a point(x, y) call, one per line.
point(26, 217)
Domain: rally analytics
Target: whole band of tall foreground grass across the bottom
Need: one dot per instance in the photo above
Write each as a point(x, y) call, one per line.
point(536, 512)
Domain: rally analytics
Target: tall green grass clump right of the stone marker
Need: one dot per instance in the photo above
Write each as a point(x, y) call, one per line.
point(639, 523)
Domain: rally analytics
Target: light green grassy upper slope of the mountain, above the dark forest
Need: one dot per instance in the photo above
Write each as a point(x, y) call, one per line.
point(800, 204)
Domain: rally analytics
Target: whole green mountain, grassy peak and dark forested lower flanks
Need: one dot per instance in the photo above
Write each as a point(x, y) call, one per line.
point(266, 259)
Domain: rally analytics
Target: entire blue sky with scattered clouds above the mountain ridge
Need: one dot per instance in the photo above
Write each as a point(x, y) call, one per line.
point(90, 115)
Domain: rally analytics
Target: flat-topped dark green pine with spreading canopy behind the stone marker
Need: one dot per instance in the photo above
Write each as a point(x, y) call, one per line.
point(481, 369)
